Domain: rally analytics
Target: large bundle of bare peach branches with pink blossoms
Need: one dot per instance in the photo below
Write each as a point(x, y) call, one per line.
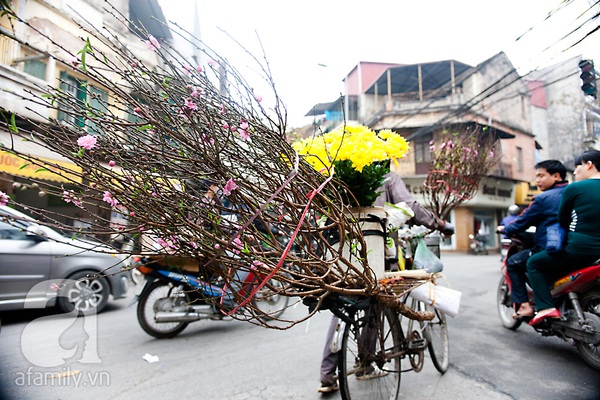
point(190, 157)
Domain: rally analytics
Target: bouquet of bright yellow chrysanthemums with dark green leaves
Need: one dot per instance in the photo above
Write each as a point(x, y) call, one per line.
point(358, 157)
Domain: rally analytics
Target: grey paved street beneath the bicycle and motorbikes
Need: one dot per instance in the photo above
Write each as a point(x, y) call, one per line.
point(239, 361)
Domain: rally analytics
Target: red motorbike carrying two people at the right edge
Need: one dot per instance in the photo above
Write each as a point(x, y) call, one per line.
point(576, 295)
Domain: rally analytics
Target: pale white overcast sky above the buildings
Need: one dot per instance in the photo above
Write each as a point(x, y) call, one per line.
point(311, 45)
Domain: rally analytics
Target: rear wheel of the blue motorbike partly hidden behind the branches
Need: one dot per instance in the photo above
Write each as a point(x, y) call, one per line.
point(159, 297)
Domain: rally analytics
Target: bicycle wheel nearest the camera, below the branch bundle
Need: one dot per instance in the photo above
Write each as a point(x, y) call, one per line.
point(369, 360)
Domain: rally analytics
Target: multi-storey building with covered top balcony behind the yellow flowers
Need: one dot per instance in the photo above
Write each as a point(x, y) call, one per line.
point(423, 101)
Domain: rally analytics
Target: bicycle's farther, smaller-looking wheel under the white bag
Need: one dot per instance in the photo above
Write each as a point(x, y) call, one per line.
point(436, 333)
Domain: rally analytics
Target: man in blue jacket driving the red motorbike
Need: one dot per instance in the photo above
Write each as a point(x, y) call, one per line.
point(541, 213)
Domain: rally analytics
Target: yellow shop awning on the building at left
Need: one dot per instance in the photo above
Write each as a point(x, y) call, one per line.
point(51, 166)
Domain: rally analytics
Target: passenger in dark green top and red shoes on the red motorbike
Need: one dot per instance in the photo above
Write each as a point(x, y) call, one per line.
point(579, 214)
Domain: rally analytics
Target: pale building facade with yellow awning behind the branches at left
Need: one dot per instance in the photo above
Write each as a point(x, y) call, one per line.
point(30, 62)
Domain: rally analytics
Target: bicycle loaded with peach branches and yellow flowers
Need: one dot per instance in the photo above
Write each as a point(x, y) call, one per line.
point(374, 343)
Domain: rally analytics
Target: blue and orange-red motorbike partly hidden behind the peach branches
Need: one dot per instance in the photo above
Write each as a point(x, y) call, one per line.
point(169, 298)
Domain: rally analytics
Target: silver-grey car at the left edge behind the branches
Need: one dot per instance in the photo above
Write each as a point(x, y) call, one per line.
point(40, 267)
